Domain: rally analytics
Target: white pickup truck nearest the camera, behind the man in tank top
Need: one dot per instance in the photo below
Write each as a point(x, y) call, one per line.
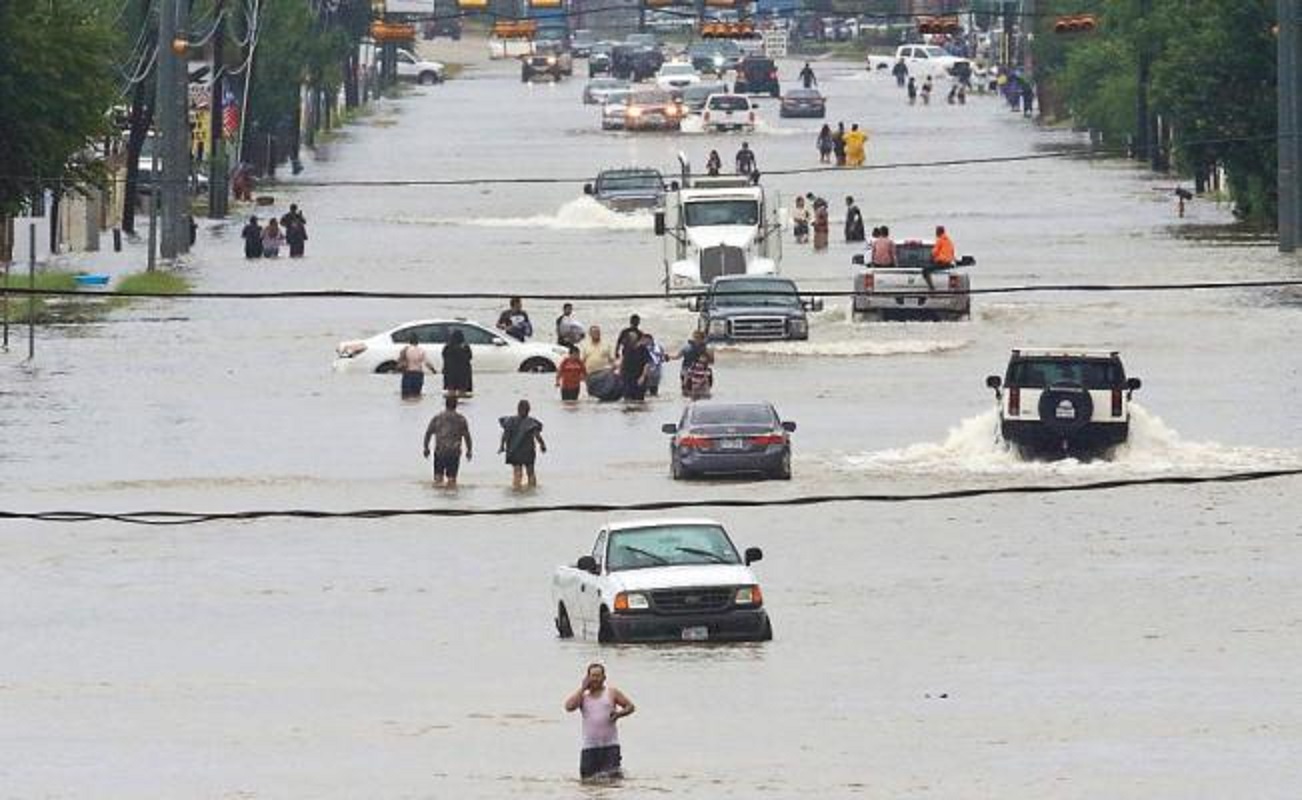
point(662, 580)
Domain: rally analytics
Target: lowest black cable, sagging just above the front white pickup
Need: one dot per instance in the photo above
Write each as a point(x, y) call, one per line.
point(196, 518)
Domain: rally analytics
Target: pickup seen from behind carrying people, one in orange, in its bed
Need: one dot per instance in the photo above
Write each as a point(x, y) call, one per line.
point(915, 289)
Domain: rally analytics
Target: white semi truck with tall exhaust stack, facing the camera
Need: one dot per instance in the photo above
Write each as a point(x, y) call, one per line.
point(719, 226)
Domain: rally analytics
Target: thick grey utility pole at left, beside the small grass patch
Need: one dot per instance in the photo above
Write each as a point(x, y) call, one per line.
point(174, 131)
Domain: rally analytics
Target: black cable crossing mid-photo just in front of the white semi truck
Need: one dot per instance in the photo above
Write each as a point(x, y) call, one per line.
point(626, 296)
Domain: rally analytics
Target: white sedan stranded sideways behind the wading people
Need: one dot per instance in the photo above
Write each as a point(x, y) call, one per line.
point(493, 351)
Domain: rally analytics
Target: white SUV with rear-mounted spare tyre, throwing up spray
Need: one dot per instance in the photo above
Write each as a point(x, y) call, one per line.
point(1064, 402)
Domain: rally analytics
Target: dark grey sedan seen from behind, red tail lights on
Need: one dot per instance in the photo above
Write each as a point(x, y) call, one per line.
point(730, 438)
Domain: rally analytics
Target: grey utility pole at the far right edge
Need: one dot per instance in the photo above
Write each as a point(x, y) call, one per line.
point(1290, 144)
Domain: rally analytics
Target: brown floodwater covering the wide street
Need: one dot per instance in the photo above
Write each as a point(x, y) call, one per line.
point(1123, 644)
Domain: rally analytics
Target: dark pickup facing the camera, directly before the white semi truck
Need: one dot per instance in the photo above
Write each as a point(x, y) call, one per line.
point(755, 308)
